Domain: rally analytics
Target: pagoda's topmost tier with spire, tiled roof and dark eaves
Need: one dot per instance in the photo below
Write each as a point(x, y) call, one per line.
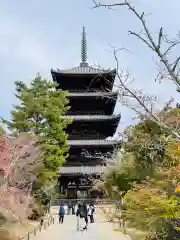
point(84, 76)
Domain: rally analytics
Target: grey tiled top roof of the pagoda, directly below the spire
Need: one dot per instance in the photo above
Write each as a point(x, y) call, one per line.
point(84, 70)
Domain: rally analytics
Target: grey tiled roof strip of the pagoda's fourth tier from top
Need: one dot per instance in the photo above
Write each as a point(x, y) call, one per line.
point(98, 142)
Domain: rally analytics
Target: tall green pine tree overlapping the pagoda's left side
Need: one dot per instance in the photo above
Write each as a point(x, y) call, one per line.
point(39, 111)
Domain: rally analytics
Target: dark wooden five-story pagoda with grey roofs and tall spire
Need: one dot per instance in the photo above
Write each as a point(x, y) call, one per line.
point(92, 105)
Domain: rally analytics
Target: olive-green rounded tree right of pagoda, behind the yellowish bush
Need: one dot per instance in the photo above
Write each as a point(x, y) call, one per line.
point(144, 151)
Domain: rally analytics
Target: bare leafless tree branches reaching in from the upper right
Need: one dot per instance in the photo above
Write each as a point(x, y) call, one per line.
point(172, 69)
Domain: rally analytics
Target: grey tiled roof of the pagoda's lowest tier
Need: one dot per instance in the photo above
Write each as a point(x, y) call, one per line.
point(83, 170)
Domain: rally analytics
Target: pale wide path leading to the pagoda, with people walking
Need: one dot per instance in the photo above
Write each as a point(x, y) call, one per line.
point(67, 231)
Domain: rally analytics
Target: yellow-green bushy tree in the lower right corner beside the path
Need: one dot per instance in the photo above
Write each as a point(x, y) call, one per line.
point(149, 208)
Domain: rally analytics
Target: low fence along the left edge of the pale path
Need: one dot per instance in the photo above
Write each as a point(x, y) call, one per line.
point(43, 225)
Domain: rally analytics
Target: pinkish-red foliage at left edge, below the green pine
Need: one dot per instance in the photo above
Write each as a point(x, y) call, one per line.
point(18, 159)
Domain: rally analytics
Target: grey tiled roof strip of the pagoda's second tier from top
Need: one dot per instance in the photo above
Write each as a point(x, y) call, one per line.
point(92, 94)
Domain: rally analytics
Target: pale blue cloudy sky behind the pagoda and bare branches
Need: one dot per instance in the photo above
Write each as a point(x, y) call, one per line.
point(38, 35)
